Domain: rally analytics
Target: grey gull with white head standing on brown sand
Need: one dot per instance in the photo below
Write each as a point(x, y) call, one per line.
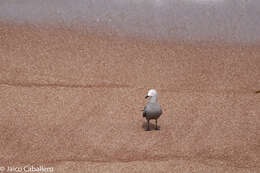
point(152, 110)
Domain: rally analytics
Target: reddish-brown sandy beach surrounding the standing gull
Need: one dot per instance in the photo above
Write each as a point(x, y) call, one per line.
point(73, 100)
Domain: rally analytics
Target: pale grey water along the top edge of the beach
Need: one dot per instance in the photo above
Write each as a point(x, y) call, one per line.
point(232, 21)
